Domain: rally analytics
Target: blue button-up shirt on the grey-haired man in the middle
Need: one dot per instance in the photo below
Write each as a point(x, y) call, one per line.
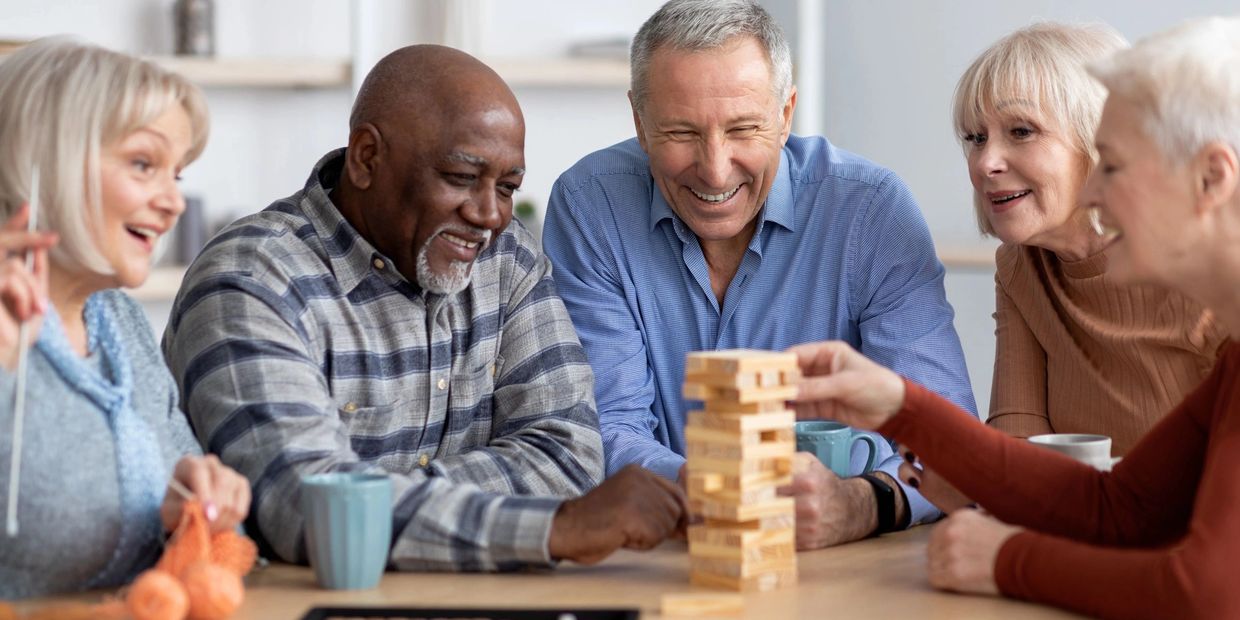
point(841, 252)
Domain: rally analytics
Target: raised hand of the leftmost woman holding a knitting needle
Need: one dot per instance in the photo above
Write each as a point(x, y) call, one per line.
point(23, 293)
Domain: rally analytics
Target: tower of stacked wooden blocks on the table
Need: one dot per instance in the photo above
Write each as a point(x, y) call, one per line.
point(740, 451)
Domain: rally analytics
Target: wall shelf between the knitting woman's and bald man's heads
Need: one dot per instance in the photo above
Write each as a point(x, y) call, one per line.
point(261, 73)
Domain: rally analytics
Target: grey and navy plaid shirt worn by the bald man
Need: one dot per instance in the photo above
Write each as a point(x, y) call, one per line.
point(299, 349)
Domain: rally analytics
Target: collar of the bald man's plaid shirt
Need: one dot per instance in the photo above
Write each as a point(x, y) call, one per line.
point(350, 256)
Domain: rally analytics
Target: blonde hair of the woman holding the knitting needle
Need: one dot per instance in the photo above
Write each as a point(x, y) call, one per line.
point(64, 102)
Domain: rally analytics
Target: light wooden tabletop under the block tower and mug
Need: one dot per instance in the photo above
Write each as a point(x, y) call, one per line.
point(879, 578)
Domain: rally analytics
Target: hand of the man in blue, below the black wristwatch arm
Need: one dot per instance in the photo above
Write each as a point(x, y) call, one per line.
point(829, 510)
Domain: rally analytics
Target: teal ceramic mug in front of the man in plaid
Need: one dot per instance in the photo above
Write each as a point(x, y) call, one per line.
point(348, 528)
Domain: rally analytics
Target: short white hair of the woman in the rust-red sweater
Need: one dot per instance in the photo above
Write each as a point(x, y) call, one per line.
point(1186, 82)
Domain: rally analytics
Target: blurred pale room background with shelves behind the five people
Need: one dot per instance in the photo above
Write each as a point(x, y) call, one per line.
point(875, 77)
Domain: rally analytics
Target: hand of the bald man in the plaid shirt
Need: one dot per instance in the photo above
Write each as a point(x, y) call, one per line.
point(635, 510)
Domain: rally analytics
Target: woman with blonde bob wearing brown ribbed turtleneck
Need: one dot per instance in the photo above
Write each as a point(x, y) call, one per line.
point(1076, 353)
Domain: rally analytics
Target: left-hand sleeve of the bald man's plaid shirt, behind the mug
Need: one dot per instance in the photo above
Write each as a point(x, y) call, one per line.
point(245, 361)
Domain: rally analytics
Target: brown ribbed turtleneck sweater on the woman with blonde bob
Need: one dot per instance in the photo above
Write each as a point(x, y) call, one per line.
point(1078, 354)
